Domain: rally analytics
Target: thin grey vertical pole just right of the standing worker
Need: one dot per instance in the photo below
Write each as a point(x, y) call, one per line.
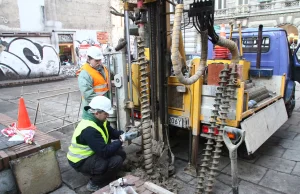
point(126, 16)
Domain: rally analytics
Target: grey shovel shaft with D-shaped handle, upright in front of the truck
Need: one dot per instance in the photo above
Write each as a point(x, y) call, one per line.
point(233, 154)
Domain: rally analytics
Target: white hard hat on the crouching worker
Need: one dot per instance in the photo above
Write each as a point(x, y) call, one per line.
point(101, 103)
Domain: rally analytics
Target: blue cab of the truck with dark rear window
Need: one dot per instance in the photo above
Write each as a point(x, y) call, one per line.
point(276, 56)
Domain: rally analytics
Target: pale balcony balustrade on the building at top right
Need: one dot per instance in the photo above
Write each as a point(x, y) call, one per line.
point(273, 7)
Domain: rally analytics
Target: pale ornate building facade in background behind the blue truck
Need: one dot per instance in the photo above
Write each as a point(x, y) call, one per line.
point(251, 13)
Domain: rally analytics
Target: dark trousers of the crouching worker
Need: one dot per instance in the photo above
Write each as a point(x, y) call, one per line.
point(103, 171)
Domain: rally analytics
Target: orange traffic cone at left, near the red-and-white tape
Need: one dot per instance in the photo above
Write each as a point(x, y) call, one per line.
point(23, 118)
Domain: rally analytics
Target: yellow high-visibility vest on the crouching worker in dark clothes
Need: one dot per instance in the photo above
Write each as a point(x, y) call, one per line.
point(77, 151)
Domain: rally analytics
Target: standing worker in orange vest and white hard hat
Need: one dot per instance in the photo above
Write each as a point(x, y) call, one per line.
point(93, 76)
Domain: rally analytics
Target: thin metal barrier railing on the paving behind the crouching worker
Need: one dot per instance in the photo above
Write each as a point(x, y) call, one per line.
point(64, 112)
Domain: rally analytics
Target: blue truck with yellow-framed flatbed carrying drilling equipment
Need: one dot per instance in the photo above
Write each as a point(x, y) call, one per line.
point(265, 93)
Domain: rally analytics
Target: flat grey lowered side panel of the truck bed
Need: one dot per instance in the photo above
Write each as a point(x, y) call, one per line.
point(260, 126)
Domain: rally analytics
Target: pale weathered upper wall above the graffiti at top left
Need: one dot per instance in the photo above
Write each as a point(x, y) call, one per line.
point(69, 15)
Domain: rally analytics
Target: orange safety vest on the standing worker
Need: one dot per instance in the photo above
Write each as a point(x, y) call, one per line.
point(100, 85)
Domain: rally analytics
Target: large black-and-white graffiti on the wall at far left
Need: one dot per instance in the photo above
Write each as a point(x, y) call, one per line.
point(24, 58)
